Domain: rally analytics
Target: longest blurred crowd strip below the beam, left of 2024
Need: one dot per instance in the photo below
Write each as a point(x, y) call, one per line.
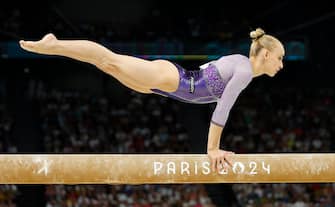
point(126, 196)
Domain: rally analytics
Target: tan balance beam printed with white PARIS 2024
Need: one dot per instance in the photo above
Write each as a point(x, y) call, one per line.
point(163, 168)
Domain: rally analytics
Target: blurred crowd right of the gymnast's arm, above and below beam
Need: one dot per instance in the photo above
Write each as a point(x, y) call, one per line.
point(284, 120)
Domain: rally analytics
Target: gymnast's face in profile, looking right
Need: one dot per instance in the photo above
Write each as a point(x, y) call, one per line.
point(273, 60)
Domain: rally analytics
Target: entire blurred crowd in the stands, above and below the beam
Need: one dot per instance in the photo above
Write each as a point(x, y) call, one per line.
point(283, 120)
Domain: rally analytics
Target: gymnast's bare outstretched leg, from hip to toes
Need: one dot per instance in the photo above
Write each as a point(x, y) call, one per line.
point(137, 74)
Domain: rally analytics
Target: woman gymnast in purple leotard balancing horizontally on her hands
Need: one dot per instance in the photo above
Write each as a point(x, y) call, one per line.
point(219, 81)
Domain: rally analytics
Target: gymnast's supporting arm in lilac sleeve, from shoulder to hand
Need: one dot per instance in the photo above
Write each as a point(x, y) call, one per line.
point(234, 87)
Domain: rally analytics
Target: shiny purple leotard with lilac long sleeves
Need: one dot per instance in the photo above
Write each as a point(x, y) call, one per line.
point(221, 81)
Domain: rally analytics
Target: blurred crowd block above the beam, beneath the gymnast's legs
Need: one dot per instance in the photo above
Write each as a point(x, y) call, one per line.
point(75, 122)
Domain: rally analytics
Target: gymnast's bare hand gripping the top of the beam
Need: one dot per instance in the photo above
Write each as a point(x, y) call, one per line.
point(220, 159)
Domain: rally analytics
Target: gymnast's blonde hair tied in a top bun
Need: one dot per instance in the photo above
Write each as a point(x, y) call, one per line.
point(261, 40)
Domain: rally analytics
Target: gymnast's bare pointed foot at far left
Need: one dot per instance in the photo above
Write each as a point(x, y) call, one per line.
point(44, 46)
